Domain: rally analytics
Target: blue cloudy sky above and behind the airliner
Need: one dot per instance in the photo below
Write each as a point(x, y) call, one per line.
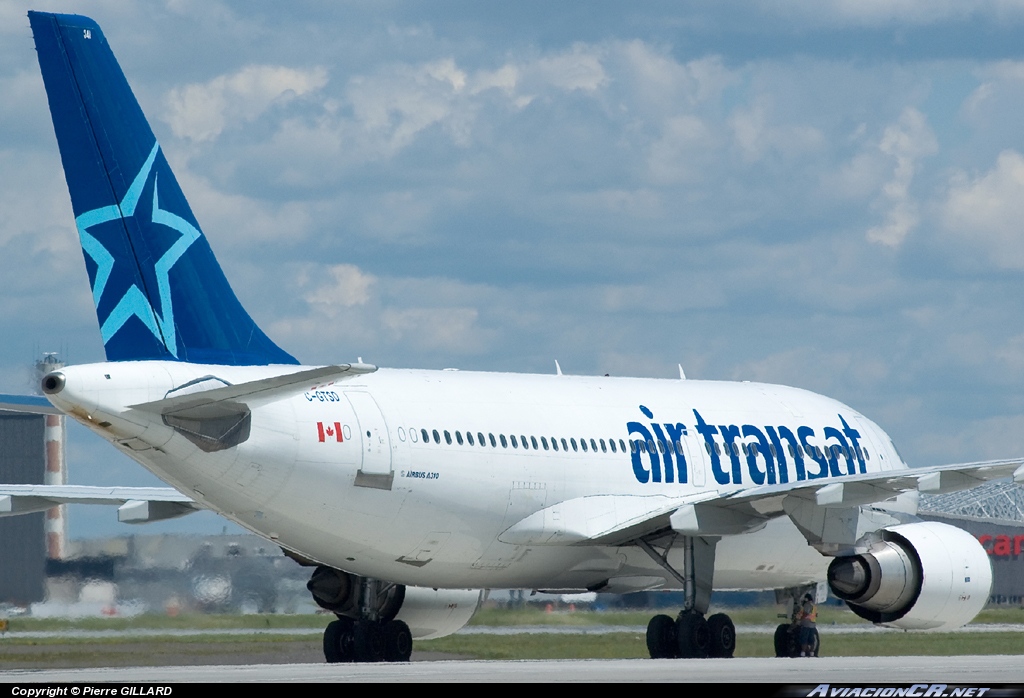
point(824, 195)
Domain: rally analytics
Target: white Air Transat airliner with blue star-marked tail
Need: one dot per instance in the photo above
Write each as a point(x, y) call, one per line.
point(409, 492)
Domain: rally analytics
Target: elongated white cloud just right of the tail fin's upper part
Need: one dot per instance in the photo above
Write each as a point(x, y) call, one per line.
point(201, 112)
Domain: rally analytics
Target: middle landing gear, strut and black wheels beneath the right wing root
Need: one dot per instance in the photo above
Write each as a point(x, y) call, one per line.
point(691, 635)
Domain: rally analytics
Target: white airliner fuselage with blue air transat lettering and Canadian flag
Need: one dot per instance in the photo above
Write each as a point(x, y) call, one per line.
point(385, 502)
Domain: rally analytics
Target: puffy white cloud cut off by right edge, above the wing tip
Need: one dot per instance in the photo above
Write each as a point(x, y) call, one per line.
point(987, 211)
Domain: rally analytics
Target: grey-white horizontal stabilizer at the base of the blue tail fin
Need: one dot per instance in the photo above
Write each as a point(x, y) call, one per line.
point(194, 397)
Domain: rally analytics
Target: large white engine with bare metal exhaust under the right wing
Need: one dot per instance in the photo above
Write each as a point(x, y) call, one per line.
point(916, 577)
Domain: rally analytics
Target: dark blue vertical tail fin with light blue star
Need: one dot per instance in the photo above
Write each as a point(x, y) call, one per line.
point(160, 293)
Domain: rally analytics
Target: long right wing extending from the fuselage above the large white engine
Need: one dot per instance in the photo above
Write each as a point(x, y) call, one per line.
point(622, 519)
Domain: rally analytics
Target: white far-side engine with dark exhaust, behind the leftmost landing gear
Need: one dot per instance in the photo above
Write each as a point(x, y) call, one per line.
point(429, 613)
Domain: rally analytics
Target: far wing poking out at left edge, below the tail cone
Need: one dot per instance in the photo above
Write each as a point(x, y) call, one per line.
point(136, 505)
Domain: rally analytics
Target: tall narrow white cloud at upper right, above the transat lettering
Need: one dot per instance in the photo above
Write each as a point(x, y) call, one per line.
point(906, 144)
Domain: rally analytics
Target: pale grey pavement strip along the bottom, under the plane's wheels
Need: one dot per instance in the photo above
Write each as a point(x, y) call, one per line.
point(974, 671)
